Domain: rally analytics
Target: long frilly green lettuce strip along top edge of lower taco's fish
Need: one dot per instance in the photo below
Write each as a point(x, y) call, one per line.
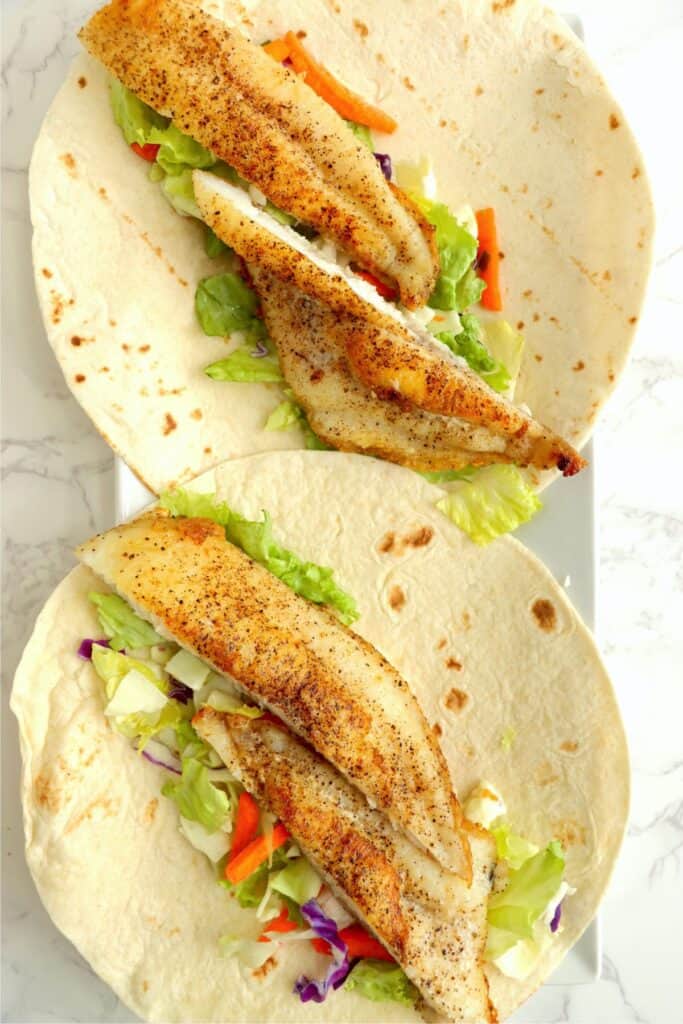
point(314, 582)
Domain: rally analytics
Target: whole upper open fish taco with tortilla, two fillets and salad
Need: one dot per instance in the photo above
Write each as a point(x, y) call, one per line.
point(287, 226)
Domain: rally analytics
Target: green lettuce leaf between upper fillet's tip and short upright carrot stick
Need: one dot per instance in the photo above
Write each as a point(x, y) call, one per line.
point(456, 286)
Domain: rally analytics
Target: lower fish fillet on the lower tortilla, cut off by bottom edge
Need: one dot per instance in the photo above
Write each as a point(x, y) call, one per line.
point(432, 922)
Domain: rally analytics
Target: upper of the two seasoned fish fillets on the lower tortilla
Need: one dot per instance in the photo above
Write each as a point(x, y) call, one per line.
point(295, 658)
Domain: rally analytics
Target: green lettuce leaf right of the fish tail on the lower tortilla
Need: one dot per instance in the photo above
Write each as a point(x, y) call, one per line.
point(514, 913)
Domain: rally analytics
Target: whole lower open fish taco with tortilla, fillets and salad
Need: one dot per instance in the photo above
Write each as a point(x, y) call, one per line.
point(306, 763)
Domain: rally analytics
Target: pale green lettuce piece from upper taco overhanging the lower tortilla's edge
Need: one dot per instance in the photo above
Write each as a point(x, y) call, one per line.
point(497, 501)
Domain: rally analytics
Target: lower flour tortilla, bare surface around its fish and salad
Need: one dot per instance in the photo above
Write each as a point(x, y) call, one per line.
point(490, 646)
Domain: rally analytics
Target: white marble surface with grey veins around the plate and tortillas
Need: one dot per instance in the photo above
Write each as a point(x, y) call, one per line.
point(58, 488)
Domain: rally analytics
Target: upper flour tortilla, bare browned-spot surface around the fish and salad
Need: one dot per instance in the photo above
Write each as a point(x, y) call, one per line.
point(514, 114)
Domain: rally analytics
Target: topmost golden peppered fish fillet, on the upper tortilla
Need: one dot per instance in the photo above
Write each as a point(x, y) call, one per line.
point(264, 120)
